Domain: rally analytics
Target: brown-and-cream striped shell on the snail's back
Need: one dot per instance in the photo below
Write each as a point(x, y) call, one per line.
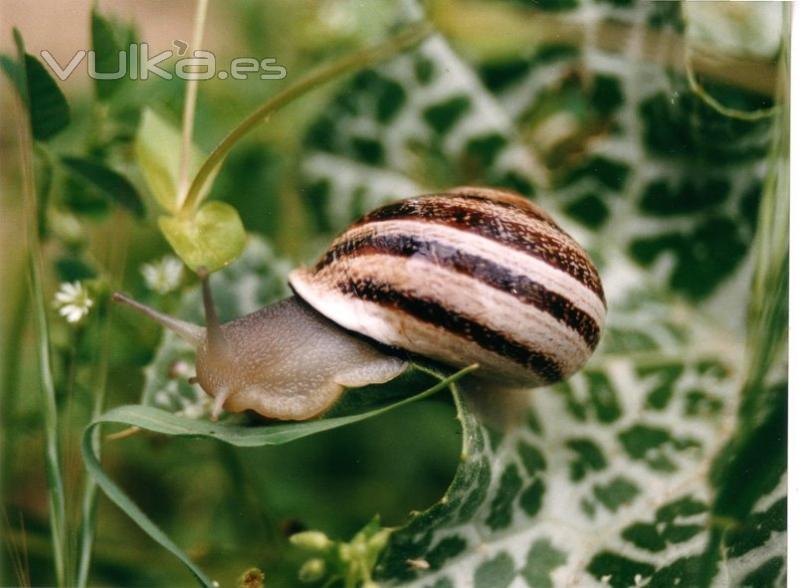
point(474, 275)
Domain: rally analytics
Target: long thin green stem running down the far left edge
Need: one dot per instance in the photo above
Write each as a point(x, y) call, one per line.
point(55, 483)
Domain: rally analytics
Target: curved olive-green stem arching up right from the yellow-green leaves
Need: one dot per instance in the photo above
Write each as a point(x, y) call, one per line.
point(355, 61)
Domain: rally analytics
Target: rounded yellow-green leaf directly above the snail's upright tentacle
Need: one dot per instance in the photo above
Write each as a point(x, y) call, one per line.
point(211, 238)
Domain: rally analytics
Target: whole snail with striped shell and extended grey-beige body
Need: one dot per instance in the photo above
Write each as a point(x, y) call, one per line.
point(471, 275)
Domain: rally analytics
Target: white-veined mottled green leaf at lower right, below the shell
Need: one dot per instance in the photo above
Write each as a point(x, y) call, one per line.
point(604, 482)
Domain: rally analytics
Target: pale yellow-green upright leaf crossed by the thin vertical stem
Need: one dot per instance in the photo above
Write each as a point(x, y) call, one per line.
point(158, 147)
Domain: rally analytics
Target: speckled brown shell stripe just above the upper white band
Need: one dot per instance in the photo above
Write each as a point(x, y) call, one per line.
point(437, 209)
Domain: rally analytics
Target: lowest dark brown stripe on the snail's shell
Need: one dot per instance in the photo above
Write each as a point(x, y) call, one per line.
point(433, 312)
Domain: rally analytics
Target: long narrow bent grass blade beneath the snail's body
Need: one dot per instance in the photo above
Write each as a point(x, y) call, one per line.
point(159, 421)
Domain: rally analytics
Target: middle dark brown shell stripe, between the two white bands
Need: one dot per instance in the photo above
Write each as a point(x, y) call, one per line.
point(485, 271)
